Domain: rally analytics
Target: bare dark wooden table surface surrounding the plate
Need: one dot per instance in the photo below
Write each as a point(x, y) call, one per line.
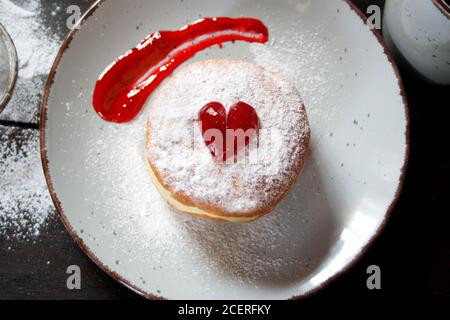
point(413, 251)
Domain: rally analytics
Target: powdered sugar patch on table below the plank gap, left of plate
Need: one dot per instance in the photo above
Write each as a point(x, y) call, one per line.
point(24, 199)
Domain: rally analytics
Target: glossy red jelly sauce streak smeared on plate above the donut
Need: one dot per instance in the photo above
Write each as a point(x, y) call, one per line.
point(124, 86)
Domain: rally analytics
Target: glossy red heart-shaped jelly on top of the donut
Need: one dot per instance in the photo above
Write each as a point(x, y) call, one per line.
point(226, 135)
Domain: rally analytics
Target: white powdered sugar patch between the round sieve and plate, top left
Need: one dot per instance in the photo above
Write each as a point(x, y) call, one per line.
point(36, 48)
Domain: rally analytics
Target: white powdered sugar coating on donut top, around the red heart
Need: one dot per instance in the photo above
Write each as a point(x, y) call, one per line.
point(176, 148)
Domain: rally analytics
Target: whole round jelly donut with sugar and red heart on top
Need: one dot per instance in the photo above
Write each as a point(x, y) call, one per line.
point(230, 180)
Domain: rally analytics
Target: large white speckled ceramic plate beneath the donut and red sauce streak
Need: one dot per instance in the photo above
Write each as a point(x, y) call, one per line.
point(99, 182)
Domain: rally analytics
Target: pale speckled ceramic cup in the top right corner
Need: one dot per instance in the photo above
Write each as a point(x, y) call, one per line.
point(419, 32)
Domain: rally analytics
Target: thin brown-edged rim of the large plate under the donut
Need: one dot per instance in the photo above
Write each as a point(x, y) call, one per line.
point(44, 159)
